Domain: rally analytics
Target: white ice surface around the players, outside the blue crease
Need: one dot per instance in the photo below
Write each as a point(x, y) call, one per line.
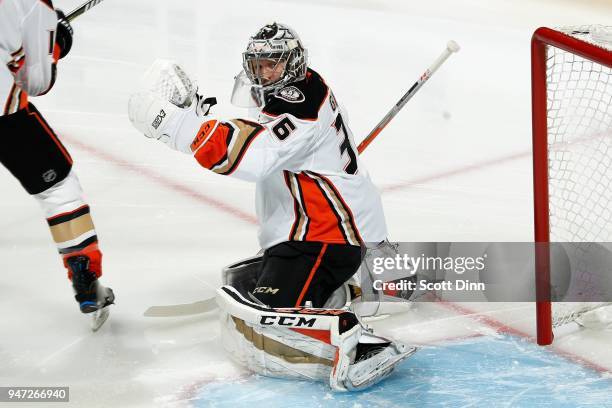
point(458, 158)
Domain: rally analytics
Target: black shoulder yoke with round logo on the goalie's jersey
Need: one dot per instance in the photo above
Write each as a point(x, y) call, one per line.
point(302, 99)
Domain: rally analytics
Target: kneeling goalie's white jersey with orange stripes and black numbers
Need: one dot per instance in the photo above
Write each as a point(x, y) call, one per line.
point(310, 183)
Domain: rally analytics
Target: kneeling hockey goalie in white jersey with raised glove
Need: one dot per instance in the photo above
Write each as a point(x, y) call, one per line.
point(316, 206)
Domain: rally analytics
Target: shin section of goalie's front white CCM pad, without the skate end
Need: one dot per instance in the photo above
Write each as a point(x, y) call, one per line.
point(285, 343)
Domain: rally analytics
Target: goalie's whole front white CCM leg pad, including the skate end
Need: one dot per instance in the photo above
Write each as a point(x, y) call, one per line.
point(305, 343)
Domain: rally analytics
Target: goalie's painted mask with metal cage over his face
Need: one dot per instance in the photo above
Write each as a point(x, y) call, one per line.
point(274, 58)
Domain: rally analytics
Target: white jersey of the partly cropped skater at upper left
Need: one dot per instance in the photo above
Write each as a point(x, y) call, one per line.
point(27, 46)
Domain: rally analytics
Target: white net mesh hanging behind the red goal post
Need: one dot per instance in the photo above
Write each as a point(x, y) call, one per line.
point(579, 109)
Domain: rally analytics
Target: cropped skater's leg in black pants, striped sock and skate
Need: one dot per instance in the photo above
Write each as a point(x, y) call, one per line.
point(36, 157)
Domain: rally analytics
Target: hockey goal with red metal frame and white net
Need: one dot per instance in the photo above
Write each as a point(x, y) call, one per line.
point(572, 153)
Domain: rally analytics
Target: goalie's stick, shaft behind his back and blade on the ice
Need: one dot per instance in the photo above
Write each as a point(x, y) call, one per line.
point(208, 305)
